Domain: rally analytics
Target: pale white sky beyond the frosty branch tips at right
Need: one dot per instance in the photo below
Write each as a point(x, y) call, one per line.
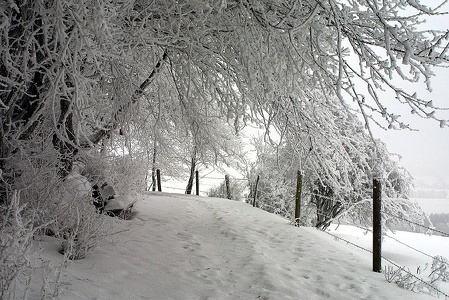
point(425, 153)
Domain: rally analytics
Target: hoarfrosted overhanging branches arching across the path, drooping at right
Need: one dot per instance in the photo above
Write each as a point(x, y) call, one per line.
point(79, 78)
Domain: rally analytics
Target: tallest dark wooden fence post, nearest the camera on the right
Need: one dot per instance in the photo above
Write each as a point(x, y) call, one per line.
point(377, 226)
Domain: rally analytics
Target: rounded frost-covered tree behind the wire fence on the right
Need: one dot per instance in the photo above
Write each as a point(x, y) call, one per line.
point(337, 170)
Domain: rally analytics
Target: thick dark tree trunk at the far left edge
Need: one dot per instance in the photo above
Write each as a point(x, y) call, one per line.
point(20, 106)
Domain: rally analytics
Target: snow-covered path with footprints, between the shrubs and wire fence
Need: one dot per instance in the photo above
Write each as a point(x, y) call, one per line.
point(191, 247)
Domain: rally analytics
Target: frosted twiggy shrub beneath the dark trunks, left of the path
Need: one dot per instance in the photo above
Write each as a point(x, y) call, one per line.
point(60, 206)
